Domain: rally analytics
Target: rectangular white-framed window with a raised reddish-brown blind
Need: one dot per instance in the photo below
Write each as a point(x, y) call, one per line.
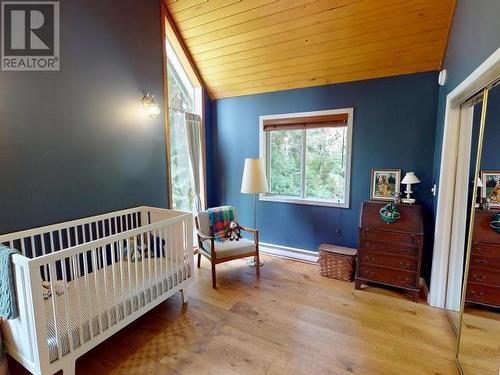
point(308, 157)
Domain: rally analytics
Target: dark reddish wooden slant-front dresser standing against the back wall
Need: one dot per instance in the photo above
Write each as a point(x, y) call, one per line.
point(390, 254)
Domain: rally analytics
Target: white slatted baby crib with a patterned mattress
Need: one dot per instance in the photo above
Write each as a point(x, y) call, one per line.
point(95, 263)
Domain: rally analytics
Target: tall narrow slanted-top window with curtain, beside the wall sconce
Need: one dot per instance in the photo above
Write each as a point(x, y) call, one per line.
point(185, 128)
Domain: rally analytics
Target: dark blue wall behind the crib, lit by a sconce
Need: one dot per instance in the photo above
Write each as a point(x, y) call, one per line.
point(76, 142)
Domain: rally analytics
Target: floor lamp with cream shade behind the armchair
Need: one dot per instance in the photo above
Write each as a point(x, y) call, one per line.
point(254, 182)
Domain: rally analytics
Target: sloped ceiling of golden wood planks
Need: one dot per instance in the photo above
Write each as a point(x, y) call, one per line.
point(243, 47)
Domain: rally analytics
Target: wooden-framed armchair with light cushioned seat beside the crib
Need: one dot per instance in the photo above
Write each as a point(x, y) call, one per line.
point(219, 252)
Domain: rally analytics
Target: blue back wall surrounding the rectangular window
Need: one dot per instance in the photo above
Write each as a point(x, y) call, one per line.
point(394, 127)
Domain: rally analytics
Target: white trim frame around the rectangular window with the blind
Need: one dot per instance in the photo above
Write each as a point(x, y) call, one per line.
point(263, 151)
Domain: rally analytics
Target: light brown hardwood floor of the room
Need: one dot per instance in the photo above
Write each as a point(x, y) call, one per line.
point(291, 321)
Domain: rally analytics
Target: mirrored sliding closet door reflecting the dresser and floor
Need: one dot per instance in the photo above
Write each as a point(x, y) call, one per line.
point(478, 350)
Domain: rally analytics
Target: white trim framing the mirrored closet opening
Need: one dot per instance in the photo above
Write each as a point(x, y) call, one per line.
point(484, 75)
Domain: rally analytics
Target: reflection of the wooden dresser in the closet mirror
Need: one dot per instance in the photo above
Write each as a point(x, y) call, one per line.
point(483, 285)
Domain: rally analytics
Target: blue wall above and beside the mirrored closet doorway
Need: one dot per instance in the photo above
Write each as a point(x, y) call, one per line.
point(475, 35)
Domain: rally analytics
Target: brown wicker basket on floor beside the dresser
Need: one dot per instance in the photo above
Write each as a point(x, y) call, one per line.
point(337, 262)
